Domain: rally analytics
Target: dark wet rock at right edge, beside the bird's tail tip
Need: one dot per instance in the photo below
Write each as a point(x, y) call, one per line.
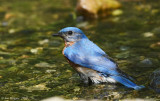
point(155, 80)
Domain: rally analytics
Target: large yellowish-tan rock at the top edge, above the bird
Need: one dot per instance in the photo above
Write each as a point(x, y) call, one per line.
point(91, 8)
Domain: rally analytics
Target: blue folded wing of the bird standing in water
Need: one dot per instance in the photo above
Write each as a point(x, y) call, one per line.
point(89, 55)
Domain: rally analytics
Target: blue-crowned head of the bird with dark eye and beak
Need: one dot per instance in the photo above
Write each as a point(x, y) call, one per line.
point(71, 34)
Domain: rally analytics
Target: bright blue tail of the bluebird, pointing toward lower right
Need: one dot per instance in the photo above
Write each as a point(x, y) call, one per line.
point(127, 82)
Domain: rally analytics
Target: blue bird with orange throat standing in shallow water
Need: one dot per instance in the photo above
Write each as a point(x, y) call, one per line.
point(91, 63)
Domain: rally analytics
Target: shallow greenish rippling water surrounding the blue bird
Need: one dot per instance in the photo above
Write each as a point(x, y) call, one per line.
point(33, 68)
